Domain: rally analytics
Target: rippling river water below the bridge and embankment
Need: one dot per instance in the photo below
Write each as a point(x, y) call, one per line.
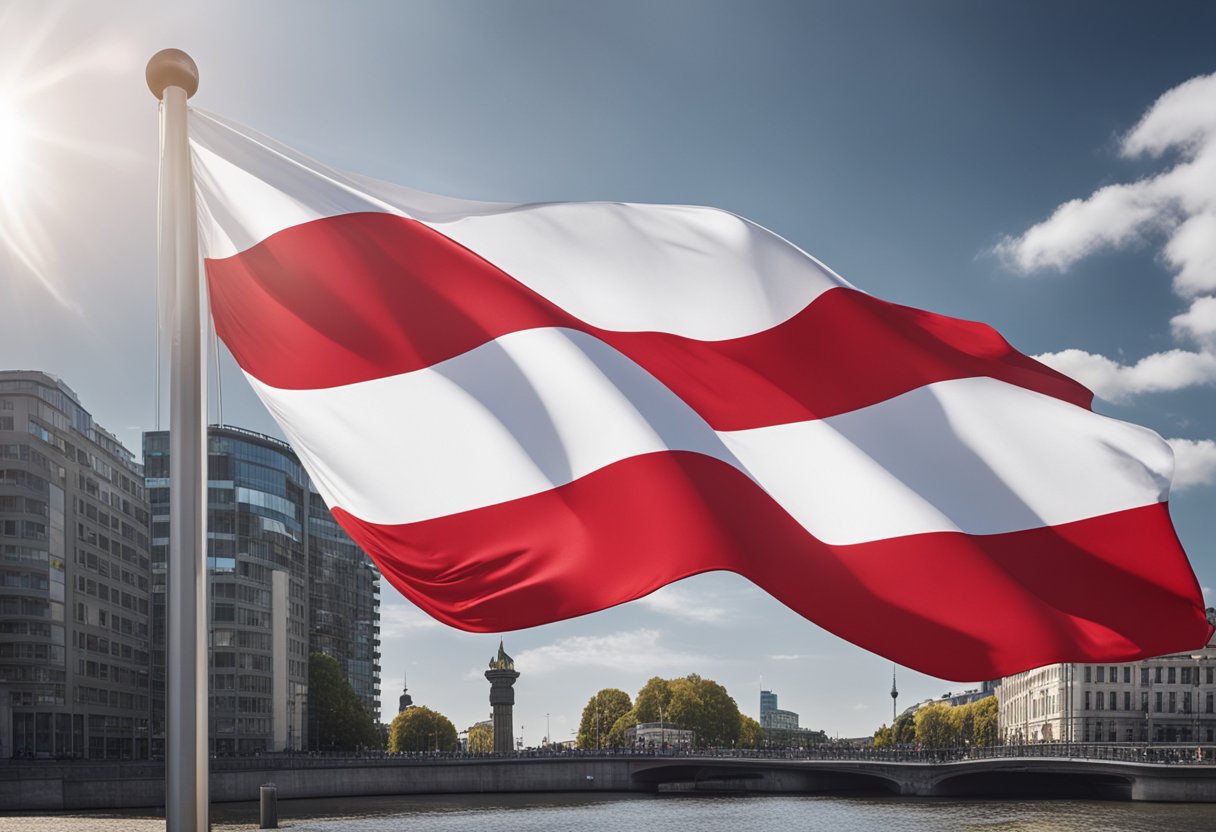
point(634, 813)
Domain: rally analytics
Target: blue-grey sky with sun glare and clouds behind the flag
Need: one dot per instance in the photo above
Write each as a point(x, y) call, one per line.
point(909, 147)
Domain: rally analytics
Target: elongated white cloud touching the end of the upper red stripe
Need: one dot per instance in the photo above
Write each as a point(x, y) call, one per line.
point(1159, 373)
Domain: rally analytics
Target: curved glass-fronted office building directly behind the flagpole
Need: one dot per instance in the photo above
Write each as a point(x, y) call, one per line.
point(284, 582)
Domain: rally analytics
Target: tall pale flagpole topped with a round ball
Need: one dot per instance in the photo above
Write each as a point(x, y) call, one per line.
point(173, 78)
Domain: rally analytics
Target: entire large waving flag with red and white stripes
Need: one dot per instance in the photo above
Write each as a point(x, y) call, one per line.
point(531, 413)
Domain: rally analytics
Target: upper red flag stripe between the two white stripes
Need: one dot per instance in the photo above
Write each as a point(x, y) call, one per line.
point(357, 297)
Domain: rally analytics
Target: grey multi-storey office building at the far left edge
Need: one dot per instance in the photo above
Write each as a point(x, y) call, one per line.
point(75, 581)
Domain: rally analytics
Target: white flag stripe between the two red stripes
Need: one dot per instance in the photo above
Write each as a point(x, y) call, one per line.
point(541, 408)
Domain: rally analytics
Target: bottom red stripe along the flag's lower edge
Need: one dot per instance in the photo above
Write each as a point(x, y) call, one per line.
point(948, 604)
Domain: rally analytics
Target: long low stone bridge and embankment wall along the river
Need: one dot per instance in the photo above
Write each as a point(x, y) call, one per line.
point(1122, 773)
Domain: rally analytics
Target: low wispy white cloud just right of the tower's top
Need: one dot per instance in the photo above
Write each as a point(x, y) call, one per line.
point(633, 651)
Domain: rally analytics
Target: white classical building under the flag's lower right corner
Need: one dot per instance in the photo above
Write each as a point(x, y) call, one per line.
point(1168, 699)
